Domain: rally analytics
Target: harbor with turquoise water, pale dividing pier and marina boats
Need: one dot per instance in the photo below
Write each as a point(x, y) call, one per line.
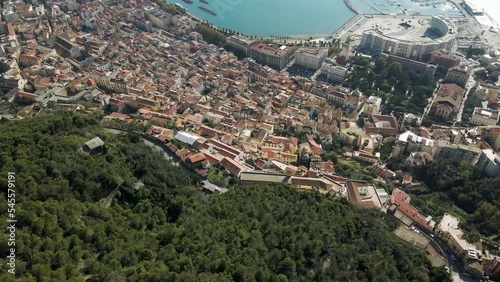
point(237, 15)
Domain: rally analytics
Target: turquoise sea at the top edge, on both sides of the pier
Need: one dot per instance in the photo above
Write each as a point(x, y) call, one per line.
point(265, 18)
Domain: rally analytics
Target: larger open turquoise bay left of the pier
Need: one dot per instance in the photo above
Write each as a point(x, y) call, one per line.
point(274, 17)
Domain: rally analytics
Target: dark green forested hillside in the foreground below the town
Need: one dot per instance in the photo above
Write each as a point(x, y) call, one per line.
point(165, 231)
